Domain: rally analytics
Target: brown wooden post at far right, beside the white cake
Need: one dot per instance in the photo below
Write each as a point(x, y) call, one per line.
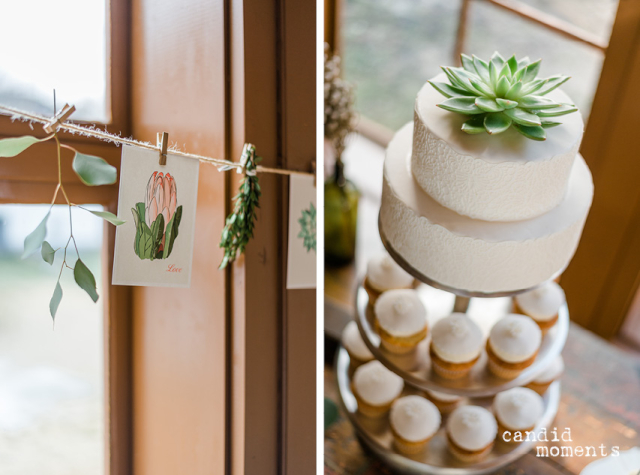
point(603, 278)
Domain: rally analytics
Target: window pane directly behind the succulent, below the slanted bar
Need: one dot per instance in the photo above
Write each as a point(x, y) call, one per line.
point(524, 38)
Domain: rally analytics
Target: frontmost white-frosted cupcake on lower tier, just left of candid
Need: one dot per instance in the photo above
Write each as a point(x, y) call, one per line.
point(471, 433)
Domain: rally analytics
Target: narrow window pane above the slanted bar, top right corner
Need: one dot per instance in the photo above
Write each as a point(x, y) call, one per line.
point(594, 16)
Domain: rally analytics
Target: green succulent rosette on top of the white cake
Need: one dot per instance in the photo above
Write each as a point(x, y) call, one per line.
point(502, 93)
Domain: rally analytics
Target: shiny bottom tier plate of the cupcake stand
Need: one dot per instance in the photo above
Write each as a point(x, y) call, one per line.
point(436, 460)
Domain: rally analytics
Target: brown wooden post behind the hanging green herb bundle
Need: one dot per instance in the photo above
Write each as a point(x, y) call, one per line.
point(272, 91)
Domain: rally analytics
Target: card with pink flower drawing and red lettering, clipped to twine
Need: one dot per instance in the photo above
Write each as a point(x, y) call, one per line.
point(155, 245)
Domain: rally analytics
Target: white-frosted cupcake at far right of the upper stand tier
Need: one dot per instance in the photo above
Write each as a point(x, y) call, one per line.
point(541, 304)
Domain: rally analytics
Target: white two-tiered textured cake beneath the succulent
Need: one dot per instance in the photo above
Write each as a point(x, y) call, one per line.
point(483, 213)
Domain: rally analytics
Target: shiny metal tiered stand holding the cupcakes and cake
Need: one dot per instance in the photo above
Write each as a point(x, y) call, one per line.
point(477, 388)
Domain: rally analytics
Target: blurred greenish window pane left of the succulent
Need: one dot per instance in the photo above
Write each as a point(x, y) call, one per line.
point(391, 49)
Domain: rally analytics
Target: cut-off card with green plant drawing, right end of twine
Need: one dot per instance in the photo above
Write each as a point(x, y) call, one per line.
point(301, 262)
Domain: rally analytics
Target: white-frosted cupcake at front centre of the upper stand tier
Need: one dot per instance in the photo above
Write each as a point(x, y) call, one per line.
point(456, 344)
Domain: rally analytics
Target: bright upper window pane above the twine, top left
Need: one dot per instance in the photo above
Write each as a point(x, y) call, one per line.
point(55, 44)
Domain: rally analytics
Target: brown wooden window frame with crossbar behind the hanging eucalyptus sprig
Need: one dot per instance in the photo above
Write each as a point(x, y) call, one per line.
point(31, 178)
